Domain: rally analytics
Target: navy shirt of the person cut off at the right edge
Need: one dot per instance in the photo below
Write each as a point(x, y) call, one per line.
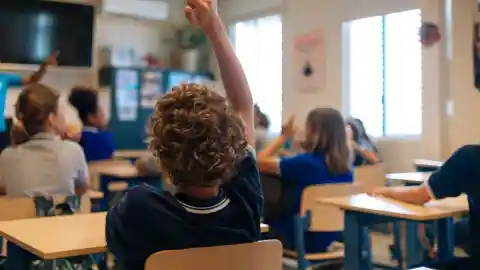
point(461, 174)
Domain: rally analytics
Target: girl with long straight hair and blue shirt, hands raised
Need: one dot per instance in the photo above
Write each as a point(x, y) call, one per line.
point(326, 160)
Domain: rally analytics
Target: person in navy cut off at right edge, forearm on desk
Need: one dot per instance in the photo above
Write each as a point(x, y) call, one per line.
point(459, 174)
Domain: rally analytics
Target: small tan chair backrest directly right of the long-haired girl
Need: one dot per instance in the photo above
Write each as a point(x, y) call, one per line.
point(369, 177)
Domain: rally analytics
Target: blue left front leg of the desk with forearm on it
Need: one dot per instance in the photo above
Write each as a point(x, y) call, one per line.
point(356, 237)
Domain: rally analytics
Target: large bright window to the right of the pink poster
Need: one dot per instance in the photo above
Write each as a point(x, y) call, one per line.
point(385, 73)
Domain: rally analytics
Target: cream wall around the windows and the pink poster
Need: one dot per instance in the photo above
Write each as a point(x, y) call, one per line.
point(444, 78)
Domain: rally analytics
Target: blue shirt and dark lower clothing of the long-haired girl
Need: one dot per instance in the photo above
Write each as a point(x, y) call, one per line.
point(304, 170)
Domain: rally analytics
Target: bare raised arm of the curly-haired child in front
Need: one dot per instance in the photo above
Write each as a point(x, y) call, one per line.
point(201, 13)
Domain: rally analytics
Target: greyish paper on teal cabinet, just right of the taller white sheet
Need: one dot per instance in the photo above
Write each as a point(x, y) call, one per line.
point(151, 89)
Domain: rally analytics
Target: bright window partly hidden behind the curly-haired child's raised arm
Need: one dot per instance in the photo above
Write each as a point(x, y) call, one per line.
point(258, 44)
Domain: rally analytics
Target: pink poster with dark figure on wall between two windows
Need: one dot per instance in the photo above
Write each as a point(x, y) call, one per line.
point(309, 62)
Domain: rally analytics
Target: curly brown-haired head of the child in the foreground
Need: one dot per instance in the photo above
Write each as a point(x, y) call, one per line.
point(197, 137)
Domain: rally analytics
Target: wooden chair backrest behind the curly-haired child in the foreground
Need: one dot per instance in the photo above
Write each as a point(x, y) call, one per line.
point(263, 255)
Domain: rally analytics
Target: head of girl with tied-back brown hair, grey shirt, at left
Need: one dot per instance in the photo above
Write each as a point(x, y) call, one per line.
point(38, 111)
